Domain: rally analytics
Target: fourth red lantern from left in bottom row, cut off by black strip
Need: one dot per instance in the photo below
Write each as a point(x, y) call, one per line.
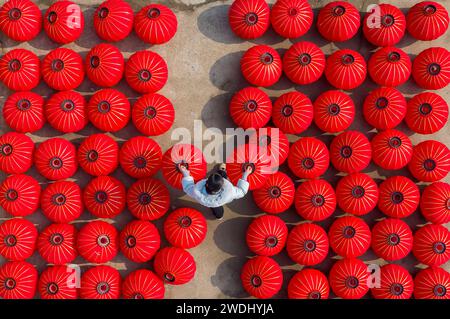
point(143, 284)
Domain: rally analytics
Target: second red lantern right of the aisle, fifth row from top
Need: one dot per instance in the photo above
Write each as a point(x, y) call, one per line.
point(315, 200)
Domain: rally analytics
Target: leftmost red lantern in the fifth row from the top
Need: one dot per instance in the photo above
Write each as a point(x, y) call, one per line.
point(19, 195)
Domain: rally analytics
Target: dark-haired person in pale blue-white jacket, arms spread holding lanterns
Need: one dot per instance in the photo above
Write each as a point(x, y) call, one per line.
point(216, 190)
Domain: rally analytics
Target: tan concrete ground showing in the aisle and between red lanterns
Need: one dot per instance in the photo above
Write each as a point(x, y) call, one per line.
point(203, 60)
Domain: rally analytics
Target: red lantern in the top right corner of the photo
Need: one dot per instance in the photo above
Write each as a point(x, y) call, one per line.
point(427, 20)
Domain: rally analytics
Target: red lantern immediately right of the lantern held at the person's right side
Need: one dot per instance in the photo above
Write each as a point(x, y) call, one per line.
point(309, 158)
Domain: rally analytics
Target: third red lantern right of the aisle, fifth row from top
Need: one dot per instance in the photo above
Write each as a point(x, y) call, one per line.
point(357, 194)
